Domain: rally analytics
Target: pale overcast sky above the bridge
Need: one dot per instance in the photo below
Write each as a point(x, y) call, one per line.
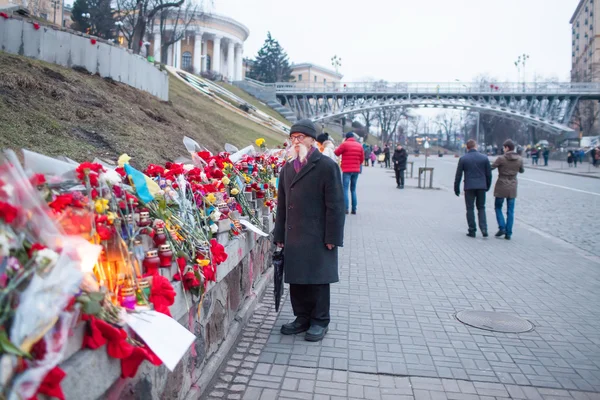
point(414, 40)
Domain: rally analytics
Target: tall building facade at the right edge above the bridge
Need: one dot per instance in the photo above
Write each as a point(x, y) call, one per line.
point(585, 51)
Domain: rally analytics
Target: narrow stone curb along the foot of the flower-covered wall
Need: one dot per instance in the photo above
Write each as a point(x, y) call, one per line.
point(215, 363)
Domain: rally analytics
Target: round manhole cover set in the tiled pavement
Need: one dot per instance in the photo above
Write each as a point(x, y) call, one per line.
point(494, 321)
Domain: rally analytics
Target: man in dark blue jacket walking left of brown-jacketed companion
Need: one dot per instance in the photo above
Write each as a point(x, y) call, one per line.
point(478, 180)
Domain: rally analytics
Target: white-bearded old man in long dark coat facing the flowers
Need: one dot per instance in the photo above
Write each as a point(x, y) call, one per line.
point(310, 228)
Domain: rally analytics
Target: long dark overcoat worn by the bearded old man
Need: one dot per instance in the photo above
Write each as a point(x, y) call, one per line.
point(310, 214)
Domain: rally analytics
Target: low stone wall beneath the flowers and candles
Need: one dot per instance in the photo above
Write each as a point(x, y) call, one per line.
point(91, 374)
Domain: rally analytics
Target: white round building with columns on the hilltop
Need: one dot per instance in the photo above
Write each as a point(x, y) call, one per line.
point(212, 42)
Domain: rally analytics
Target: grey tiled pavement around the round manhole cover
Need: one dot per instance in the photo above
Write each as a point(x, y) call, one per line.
point(406, 269)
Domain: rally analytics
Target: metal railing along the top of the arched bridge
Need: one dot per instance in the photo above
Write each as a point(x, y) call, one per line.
point(438, 88)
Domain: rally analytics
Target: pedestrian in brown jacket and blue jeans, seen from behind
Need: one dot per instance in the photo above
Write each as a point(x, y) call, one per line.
point(509, 165)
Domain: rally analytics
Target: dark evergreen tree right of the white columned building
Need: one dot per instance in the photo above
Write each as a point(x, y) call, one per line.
point(272, 63)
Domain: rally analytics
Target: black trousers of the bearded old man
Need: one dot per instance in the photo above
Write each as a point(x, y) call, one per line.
point(311, 303)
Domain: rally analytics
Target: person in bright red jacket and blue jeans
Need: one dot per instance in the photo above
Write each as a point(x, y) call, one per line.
point(353, 156)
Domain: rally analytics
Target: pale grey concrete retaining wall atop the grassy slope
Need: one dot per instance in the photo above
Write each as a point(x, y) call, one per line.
point(74, 49)
